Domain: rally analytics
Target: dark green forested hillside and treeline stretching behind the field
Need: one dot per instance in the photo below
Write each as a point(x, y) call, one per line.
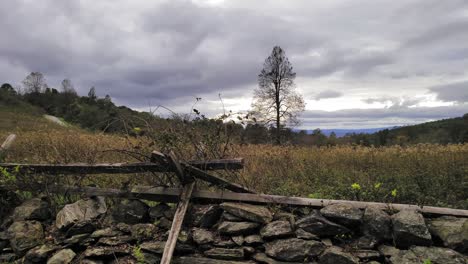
point(101, 114)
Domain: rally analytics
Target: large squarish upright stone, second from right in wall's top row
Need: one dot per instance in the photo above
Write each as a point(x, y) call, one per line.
point(410, 229)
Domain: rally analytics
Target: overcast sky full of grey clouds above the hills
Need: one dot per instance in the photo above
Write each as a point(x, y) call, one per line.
point(359, 63)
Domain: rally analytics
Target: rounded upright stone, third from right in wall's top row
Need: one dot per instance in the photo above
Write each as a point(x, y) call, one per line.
point(376, 223)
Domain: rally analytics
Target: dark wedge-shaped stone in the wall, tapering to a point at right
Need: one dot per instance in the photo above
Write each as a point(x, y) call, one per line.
point(318, 225)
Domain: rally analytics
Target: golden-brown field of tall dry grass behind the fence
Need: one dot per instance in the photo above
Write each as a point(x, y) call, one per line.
point(422, 174)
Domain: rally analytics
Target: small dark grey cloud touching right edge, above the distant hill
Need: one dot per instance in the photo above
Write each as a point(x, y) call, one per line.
point(453, 92)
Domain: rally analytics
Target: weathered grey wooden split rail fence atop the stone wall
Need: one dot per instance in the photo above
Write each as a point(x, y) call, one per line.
point(187, 173)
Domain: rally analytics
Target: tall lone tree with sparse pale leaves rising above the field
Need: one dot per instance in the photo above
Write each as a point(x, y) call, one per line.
point(275, 100)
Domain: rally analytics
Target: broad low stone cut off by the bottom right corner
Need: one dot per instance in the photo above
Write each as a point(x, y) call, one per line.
point(436, 255)
